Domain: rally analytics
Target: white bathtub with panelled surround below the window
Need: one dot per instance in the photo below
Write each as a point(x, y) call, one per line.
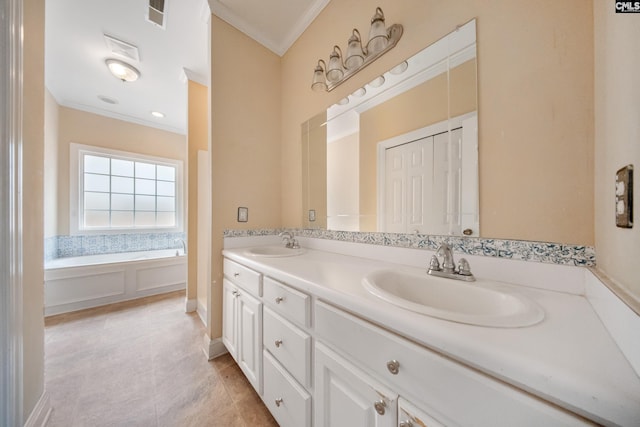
point(77, 283)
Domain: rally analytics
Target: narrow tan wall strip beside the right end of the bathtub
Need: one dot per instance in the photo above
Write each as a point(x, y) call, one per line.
point(197, 139)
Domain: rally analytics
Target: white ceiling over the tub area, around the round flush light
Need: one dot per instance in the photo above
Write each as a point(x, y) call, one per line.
point(76, 49)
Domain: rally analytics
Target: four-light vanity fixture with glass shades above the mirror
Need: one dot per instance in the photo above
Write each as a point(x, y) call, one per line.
point(381, 40)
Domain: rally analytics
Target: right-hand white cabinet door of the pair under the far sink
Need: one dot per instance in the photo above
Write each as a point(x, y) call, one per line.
point(250, 338)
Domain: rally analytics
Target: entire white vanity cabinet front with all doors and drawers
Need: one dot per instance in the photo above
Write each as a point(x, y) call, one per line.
point(315, 364)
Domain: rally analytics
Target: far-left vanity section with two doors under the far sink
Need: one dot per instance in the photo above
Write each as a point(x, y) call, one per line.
point(242, 320)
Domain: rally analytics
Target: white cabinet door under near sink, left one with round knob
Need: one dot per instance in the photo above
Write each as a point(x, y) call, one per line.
point(345, 396)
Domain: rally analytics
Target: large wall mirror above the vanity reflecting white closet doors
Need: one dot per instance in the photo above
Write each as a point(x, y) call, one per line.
point(401, 154)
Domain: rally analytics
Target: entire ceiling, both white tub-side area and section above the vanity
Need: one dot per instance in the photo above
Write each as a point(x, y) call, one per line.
point(76, 50)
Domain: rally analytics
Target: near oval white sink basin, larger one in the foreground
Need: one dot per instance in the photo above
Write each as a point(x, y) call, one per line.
point(482, 303)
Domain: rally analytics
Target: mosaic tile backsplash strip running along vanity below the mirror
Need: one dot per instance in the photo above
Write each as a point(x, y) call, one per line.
point(551, 253)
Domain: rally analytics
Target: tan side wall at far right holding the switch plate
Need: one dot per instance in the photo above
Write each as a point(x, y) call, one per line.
point(617, 140)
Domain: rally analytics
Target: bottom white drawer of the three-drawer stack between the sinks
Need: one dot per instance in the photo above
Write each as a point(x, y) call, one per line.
point(289, 403)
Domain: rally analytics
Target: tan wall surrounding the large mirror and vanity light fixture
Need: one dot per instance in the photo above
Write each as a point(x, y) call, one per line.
point(535, 95)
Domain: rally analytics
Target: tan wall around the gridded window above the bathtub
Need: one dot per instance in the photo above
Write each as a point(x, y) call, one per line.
point(90, 129)
